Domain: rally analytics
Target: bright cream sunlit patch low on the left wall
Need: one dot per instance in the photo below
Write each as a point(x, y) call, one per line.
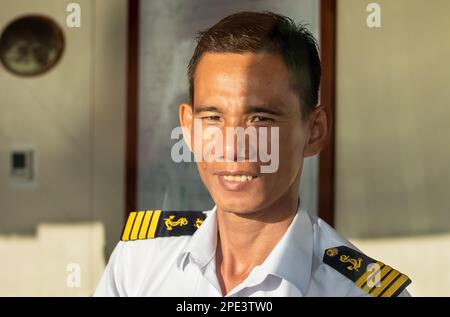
point(61, 260)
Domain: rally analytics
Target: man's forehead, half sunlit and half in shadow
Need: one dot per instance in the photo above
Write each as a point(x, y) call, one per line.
point(250, 77)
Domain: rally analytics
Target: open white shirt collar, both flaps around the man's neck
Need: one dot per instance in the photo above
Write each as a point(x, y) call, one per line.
point(291, 259)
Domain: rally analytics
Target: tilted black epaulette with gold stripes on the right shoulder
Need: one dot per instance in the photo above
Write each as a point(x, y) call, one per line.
point(373, 277)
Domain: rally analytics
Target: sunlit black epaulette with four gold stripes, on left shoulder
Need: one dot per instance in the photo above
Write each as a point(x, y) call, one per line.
point(156, 223)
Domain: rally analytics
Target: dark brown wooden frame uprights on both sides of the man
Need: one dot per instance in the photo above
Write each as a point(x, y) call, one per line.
point(326, 173)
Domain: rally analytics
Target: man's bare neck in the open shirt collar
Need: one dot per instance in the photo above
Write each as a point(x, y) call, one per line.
point(245, 241)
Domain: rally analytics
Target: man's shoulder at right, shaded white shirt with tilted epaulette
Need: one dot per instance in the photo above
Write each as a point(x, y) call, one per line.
point(341, 268)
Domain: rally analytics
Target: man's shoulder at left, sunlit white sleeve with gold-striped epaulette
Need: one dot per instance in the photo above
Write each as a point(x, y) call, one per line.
point(150, 242)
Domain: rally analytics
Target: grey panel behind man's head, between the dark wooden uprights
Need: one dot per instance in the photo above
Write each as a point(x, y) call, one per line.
point(168, 30)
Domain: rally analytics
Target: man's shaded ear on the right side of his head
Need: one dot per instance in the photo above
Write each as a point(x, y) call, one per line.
point(318, 131)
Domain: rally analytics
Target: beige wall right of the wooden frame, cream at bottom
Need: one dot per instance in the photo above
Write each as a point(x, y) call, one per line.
point(392, 173)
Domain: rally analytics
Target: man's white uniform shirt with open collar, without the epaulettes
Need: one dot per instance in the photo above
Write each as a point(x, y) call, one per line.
point(185, 265)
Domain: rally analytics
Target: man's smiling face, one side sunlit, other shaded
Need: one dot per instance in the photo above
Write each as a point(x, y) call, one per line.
point(247, 90)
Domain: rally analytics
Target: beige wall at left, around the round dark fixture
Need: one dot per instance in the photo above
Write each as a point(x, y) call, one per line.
point(74, 118)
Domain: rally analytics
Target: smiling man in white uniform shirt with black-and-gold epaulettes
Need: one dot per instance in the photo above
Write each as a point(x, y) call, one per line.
point(257, 70)
